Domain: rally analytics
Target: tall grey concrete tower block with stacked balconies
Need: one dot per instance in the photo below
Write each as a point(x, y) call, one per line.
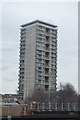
point(38, 58)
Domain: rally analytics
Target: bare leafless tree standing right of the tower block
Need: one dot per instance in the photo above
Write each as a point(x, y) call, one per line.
point(67, 93)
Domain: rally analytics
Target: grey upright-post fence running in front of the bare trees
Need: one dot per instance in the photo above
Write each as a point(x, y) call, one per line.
point(53, 106)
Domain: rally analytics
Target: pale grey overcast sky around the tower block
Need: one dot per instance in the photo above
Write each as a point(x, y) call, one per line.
point(64, 15)
